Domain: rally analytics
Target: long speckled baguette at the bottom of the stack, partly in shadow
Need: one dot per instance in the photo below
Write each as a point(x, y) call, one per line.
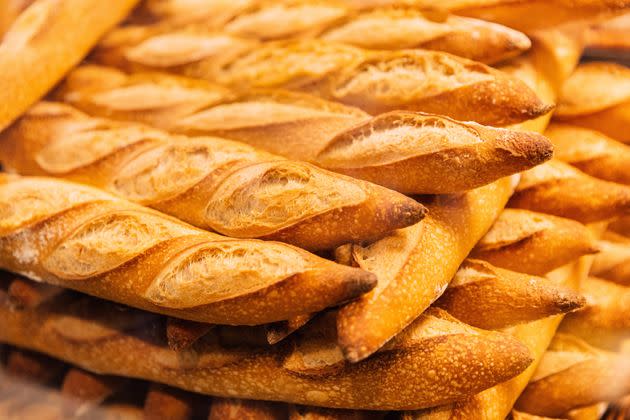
point(307, 368)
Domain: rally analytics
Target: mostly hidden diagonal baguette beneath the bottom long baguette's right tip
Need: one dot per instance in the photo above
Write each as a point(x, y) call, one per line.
point(496, 402)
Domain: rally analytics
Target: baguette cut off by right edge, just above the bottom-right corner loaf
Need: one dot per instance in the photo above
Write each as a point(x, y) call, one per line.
point(605, 321)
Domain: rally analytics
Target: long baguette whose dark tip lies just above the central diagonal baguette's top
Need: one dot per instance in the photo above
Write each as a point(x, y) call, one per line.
point(298, 126)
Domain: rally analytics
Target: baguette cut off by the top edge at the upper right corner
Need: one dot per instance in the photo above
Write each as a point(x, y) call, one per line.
point(525, 15)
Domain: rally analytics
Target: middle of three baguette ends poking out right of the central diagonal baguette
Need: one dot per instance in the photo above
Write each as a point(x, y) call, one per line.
point(533, 243)
